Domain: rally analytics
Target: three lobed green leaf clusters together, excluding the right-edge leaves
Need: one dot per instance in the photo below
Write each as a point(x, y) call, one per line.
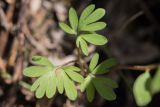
point(52, 79)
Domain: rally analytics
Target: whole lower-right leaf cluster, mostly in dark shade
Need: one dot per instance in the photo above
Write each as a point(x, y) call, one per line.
point(104, 86)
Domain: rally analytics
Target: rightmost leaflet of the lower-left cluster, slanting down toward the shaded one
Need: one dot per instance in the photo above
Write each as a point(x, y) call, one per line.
point(74, 76)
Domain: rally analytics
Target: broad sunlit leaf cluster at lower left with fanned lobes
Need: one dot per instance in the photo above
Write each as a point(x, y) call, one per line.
point(52, 78)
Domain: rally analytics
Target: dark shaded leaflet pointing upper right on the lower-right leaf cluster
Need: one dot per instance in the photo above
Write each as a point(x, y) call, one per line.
point(104, 66)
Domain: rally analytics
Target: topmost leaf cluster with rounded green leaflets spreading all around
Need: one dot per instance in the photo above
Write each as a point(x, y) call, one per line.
point(87, 22)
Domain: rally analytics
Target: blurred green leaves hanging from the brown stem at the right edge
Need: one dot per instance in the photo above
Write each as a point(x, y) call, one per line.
point(145, 87)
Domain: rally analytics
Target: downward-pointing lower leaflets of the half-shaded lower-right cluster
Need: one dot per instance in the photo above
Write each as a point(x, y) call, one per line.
point(104, 86)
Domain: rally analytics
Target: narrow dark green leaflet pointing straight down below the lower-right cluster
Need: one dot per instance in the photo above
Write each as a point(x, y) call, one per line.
point(90, 90)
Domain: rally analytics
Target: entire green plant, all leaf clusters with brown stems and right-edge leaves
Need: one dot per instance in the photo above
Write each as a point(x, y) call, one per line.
point(65, 78)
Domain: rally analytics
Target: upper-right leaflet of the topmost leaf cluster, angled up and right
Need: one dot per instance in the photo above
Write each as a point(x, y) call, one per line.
point(95, 16)
